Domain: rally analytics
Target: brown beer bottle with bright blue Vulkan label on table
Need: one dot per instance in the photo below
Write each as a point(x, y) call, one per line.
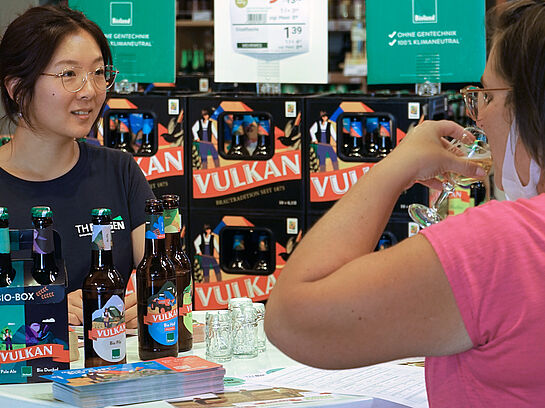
point(156, 291)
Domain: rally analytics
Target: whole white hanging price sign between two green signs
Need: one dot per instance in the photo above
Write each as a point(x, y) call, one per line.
point(269, 41)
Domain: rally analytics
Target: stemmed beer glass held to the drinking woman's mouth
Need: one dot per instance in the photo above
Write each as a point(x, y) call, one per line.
point(473, 148)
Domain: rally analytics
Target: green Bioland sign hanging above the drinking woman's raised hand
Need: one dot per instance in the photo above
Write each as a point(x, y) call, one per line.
point(413, 41)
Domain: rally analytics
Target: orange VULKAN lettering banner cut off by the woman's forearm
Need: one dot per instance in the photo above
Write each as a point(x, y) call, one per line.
point(332, 185)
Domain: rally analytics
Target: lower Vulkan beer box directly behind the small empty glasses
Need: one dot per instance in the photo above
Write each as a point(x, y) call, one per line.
point(221, 242)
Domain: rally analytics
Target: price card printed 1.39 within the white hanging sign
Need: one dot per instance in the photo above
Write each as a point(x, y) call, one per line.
point(267, 27)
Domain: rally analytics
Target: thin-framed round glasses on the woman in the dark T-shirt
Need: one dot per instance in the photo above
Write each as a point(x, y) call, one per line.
point(74, 78)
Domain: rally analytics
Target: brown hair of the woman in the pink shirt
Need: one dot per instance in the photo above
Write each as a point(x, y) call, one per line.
point(517, 33)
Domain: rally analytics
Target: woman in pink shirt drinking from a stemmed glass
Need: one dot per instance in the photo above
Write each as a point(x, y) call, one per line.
point(469, 292)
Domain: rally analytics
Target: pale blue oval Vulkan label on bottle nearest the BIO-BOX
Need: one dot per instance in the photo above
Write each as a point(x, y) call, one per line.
point(108, 330)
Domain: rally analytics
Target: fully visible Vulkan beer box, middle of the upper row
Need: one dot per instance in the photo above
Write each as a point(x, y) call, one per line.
point(246, 152)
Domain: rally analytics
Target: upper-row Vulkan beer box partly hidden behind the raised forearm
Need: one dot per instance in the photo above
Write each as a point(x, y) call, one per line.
point(349, 134)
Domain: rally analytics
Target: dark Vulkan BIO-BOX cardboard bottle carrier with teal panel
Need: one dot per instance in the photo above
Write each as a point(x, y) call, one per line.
point(34, 318)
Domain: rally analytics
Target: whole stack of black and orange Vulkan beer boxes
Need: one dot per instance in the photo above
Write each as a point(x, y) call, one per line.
point(253, 172)
